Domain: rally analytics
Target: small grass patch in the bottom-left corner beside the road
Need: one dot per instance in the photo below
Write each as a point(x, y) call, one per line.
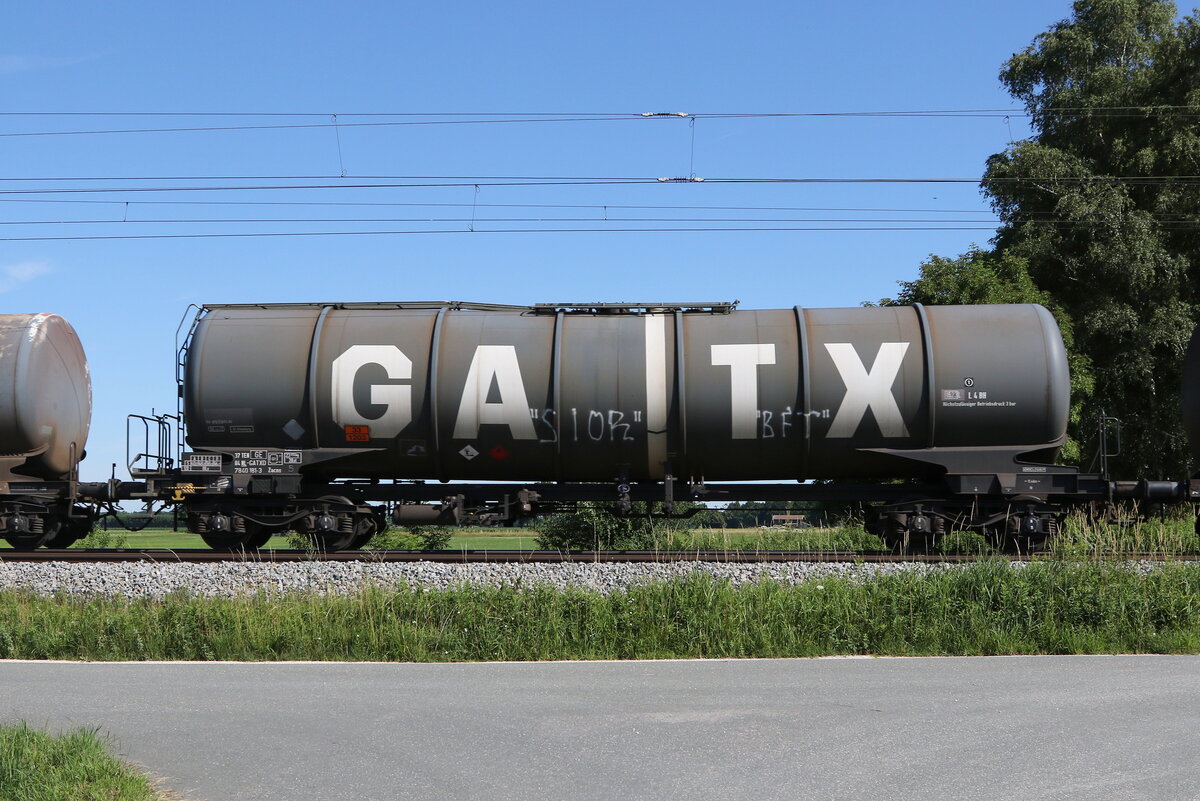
point(73, 767)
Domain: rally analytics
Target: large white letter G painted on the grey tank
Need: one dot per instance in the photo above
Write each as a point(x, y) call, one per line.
point(397, 398)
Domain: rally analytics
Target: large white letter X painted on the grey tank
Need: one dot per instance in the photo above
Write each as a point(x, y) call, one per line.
point(868, 389)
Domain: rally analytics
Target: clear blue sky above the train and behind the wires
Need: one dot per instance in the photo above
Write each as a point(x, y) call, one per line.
point(127, 297)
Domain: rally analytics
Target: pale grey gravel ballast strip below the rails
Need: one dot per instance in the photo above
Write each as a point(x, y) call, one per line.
point(225, 580)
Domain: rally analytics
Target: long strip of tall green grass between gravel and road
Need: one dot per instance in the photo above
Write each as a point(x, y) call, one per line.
point(987, 609)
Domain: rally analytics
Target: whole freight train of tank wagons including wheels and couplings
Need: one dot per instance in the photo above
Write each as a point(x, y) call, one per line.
point(334, 419)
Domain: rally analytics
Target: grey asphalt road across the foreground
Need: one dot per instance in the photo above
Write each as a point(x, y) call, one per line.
point(1111, 727)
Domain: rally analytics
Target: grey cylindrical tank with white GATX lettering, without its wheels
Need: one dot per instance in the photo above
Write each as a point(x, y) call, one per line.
point(545, 394)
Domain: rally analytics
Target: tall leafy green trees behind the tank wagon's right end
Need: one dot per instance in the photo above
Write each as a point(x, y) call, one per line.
point(1099, 210)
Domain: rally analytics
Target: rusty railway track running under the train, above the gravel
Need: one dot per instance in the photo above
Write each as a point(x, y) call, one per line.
point(201, 556)
